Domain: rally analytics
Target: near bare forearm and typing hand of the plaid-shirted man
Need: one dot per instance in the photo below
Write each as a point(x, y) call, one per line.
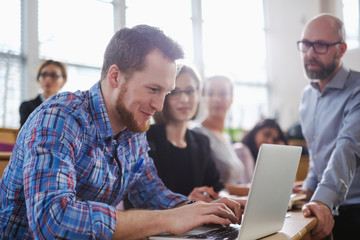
point(136, 223)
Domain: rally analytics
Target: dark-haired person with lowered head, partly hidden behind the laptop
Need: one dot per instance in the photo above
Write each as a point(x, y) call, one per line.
point(265, 131)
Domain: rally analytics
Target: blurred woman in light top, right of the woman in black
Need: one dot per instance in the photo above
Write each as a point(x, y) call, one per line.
point(217, 97)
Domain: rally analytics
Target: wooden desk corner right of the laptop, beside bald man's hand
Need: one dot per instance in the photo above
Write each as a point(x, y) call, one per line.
point(296, 227)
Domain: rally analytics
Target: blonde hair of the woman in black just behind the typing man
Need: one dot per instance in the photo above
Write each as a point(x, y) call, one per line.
point(163, 117)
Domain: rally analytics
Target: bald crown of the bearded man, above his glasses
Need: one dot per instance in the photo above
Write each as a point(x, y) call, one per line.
point(324, 27)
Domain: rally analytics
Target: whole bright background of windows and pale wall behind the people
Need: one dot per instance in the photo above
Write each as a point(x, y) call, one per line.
point(253, 42)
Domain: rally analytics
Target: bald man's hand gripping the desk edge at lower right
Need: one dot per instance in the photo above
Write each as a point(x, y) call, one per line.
point(324, 216)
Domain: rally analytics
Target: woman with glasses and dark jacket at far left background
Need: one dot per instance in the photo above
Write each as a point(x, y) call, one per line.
point(51, 77)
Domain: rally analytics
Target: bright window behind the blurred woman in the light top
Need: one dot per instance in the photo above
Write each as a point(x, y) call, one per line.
point(234, 45)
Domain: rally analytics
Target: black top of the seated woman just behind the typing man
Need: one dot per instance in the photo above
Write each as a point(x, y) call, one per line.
point(183, 169)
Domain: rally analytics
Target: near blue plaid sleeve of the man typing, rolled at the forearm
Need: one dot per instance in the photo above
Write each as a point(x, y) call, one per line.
point(53, 210)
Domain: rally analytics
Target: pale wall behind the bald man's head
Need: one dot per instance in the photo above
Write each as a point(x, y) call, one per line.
point(284, 22)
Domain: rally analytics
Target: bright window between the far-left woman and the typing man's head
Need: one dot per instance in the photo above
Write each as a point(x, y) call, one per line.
point(77, 33)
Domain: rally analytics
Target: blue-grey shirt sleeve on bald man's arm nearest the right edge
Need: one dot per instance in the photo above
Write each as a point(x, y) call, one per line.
point(340, 170)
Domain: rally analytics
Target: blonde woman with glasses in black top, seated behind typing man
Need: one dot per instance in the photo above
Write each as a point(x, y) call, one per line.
point(183, 157)
